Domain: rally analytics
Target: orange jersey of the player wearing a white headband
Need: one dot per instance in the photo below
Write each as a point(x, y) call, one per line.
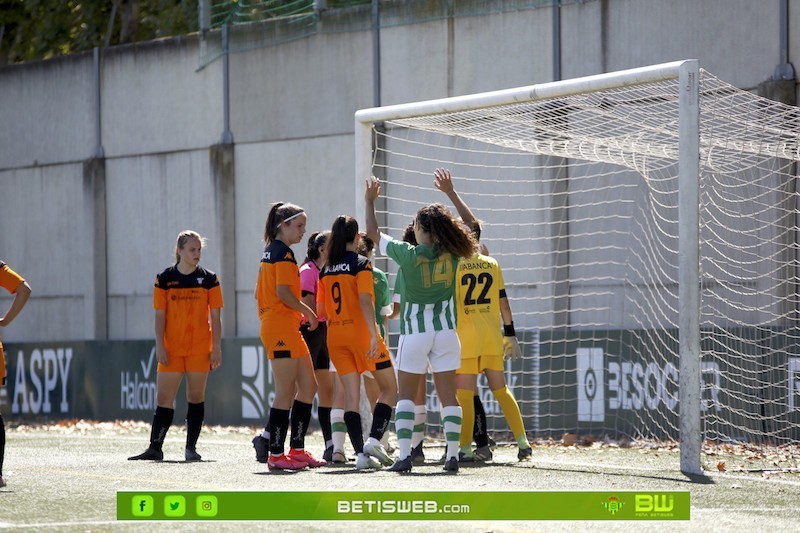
point(278, 267)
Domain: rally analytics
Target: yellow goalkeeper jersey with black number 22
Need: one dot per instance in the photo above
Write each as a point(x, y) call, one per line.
point(479, 287)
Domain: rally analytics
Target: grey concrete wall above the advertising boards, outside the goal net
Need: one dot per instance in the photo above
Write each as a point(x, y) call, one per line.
point(291, 115)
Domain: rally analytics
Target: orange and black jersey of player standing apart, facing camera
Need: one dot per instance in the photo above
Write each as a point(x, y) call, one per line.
point(187, 300)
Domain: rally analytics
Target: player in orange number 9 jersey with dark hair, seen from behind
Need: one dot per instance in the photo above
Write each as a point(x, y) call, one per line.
point(346, 298)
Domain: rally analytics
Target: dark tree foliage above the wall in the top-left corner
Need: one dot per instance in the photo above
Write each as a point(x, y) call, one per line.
point(42, 29)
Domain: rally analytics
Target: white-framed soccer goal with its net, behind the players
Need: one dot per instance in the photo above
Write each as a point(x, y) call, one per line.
point(646, 222)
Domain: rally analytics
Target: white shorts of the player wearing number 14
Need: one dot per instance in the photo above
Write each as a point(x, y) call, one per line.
point(441, 349)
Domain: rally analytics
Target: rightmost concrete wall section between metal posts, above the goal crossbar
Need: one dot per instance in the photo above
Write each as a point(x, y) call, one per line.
point(736, 40)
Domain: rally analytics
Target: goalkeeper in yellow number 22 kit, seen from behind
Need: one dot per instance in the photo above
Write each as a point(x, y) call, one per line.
point(481, 301)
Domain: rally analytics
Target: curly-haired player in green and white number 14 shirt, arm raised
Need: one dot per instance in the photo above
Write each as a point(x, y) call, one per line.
point(428, 320)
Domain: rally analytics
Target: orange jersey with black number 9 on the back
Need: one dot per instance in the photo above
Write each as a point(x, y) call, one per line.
point(339, 288)
